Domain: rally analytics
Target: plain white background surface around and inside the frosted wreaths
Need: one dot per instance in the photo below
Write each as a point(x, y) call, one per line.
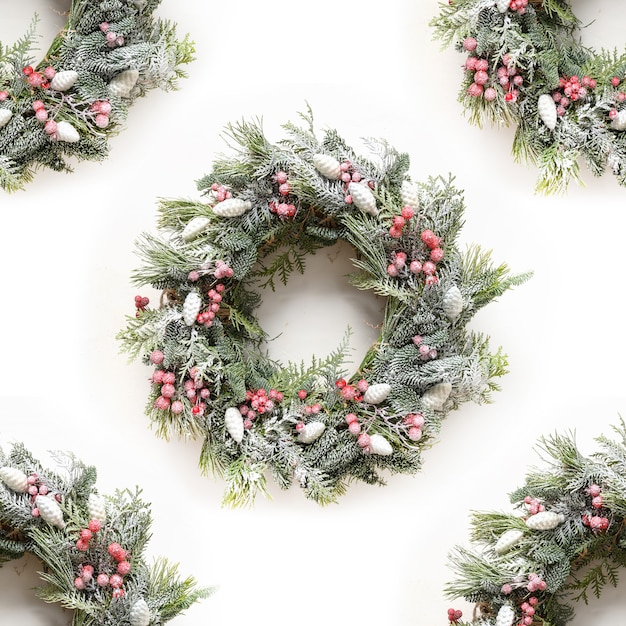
point(67, 252)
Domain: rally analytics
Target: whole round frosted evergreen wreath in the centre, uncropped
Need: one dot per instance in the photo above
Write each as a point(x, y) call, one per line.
point(266, 207)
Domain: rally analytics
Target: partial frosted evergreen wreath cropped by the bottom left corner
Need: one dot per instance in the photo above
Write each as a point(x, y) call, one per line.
point(92, 546)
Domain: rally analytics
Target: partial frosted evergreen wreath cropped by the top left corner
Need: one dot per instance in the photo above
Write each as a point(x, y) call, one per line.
point(77, 96)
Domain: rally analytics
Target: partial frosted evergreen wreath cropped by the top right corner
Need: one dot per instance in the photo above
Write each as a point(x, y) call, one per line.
point(526, 66)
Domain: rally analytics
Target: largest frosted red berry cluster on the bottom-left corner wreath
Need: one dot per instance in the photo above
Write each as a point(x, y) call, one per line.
point(111, 572)
